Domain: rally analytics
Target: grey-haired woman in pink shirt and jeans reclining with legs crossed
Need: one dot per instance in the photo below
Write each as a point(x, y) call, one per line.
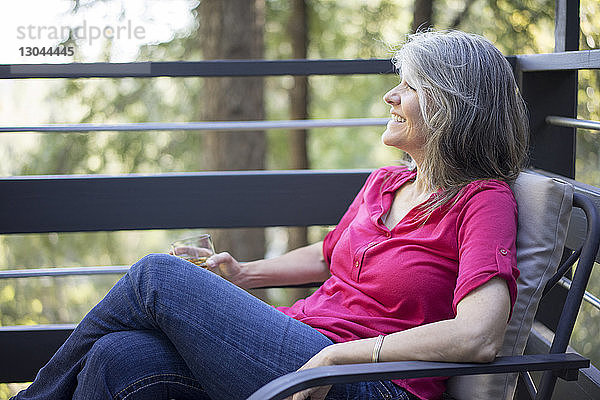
point(421, 267)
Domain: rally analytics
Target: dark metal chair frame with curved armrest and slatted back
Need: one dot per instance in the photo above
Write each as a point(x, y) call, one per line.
point(555, 364)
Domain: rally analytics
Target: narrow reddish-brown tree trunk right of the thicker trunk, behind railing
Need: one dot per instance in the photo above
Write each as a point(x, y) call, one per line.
point(298, 34)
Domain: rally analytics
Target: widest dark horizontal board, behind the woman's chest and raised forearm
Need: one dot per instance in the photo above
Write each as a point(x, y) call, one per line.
point(186, 200)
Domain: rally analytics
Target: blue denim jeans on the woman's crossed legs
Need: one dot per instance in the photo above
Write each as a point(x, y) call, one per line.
point(171, 330)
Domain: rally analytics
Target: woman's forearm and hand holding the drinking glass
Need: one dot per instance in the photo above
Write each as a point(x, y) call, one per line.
point(299, 266)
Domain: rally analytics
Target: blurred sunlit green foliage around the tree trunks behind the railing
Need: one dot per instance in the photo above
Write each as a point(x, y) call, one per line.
point(337, 29)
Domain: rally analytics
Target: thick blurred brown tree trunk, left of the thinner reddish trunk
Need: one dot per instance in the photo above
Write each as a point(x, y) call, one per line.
point(233, 29)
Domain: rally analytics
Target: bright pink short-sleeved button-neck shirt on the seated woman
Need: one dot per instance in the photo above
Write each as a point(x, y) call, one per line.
point(383, 281)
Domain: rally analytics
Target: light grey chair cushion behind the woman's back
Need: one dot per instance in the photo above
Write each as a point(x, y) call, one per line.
point(544, 206)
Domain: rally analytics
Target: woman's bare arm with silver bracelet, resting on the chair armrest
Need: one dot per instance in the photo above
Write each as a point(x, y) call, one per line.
point(474, 335)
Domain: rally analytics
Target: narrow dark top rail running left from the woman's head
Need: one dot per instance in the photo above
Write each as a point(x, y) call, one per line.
point(211, 68)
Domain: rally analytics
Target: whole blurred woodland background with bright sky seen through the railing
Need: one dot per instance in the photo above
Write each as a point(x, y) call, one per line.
point(193, 30)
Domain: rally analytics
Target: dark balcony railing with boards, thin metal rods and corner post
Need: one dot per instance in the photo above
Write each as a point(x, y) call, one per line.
point(82, 203)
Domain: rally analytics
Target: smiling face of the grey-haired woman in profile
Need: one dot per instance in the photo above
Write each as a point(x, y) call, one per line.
point(406, 128)
